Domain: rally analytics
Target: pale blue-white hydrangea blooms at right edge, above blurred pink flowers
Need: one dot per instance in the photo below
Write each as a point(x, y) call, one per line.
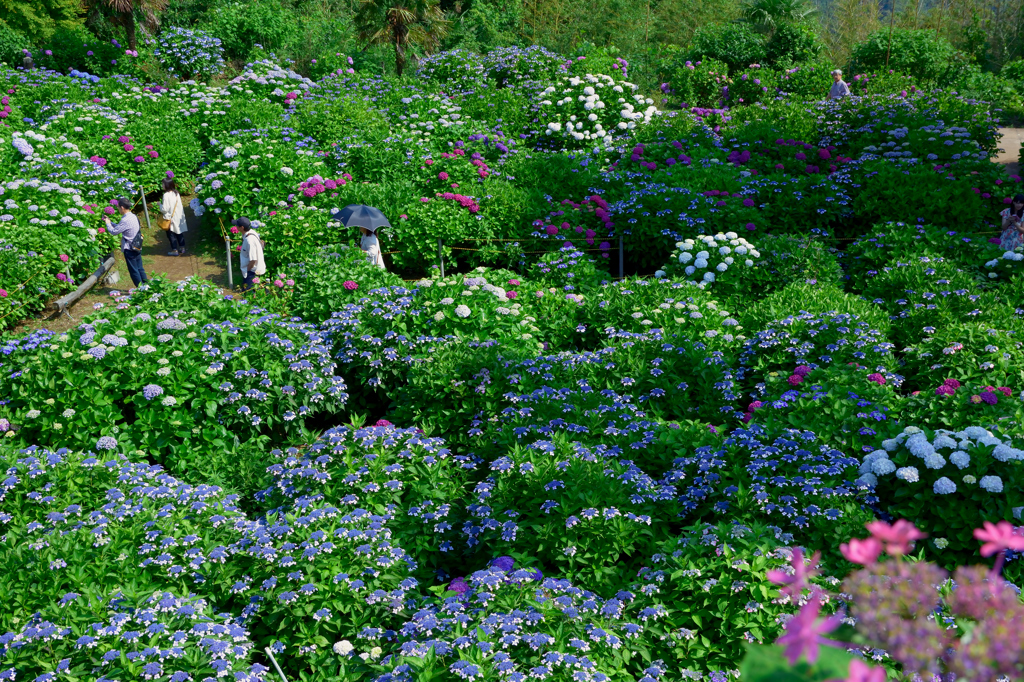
point(962, 447)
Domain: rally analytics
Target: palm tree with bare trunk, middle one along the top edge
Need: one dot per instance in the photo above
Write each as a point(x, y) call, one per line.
point(402, 24)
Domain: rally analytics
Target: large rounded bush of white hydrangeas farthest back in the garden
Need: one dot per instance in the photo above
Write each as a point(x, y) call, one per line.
point(592, 111)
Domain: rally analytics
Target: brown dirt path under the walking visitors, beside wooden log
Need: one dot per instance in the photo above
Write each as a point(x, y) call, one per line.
point(205, 259)
